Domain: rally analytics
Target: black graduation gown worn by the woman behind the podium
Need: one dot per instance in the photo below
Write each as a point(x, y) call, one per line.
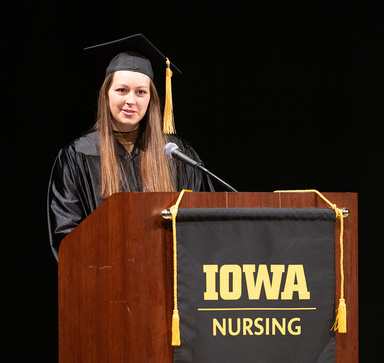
point(74, 186)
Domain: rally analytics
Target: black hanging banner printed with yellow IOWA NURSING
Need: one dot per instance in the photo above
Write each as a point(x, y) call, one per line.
point(256, 285)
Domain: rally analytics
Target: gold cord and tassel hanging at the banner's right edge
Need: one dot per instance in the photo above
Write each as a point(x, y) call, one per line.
point(341, 316)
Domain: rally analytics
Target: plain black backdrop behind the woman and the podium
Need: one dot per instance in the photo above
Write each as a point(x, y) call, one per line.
point(274, 95)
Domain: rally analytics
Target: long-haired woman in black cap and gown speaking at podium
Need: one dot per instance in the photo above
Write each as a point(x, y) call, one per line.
point(124, 150)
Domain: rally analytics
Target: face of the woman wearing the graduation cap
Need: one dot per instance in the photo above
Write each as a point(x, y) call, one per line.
point(129, 97)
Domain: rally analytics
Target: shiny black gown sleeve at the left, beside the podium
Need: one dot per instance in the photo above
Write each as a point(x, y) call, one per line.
point(65, 210)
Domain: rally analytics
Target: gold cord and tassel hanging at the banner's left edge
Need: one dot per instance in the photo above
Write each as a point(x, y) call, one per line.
point(175, 317)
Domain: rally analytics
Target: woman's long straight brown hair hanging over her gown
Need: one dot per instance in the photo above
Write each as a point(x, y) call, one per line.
point(155, 171)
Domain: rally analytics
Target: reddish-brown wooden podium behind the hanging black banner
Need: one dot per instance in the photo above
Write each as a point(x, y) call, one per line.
point(115, 275)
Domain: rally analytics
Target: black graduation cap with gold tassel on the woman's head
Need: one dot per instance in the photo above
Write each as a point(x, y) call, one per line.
point(137, 54)
